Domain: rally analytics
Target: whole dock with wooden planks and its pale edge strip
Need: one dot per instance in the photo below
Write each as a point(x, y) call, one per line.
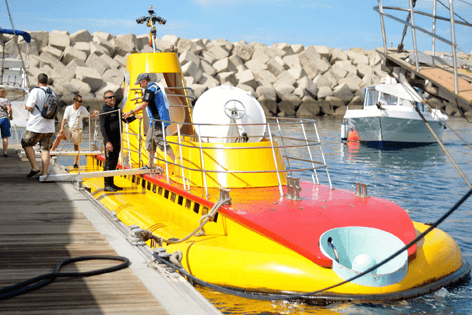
point(44, 223)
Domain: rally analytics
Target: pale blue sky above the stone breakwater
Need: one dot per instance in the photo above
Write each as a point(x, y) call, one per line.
point(334, 23)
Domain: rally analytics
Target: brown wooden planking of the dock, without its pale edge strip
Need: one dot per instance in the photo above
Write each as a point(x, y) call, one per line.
point(40, 227)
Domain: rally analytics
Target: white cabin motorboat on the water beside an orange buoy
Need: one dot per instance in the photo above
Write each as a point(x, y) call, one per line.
point(389, 115)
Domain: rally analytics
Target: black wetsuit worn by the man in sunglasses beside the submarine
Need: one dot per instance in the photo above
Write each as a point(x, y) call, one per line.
point(110, 128)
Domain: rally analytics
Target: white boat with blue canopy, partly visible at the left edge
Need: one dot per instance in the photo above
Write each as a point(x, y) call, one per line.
point(13, 79)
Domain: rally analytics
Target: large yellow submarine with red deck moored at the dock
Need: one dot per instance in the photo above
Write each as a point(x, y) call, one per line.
point(232, 206)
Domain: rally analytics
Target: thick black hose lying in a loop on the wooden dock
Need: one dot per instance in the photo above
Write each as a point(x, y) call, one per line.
point(41, 281)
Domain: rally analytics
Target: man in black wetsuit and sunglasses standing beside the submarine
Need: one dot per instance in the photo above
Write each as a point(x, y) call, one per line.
point(110, 121)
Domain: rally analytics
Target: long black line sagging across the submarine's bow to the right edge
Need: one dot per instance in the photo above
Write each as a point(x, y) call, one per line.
point(266, 297)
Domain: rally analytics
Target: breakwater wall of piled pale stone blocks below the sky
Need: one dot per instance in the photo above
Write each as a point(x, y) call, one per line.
point(288, 80)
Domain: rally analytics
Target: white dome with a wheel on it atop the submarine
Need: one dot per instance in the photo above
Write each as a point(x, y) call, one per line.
point(229, 114)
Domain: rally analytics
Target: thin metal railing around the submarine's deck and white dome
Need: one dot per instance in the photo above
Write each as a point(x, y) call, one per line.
point(289, 145)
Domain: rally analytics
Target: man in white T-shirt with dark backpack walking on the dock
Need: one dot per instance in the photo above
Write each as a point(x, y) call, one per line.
point(39, 129)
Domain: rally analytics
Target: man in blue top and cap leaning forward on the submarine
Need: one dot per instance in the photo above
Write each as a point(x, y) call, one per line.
point(153, 101)
